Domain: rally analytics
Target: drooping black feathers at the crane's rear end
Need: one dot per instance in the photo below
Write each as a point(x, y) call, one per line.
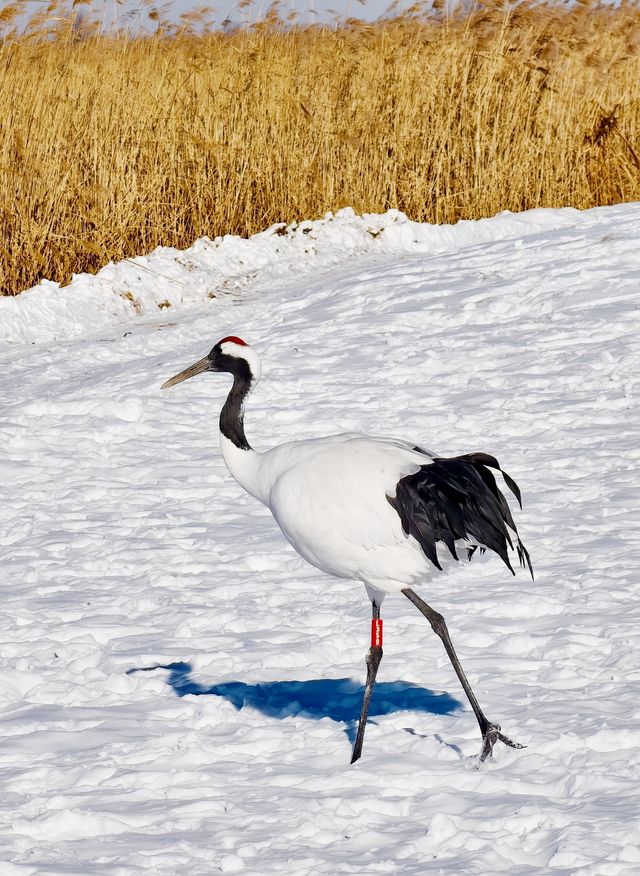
point(458, 498)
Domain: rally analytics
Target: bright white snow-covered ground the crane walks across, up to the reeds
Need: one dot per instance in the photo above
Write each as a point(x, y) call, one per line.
point(125, 546)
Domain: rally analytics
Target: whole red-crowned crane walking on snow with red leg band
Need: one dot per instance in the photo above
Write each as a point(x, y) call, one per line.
point(371, 509)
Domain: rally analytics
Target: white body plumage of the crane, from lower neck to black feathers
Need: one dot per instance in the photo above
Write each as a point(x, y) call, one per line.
point(328, 496)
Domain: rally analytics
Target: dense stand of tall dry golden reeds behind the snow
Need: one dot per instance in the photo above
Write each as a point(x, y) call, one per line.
point(112, 144)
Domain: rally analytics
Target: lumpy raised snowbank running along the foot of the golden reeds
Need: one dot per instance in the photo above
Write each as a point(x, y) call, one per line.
point(172, 279)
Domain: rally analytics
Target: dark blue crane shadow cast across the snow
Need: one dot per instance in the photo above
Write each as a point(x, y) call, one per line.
point(337, 698)
